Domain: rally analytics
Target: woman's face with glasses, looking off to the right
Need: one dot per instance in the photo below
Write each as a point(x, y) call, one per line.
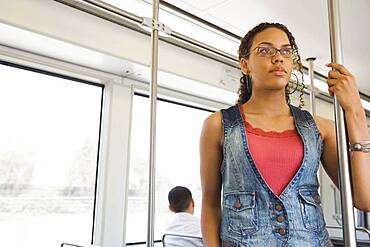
point(269, 71)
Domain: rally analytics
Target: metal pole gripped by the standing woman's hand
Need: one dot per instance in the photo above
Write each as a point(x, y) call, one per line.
point(349, 231)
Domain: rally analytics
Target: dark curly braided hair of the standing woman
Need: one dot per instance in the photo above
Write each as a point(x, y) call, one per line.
point(245, 89)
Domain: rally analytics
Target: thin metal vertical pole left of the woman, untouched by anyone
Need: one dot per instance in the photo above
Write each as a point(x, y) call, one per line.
point(153, 112)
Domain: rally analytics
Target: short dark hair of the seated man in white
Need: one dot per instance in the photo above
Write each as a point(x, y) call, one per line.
point(179, 198)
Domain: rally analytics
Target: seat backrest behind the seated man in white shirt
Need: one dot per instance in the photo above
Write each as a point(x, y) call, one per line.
point(181, 240)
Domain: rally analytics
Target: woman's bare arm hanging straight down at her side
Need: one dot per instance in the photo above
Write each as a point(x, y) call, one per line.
point(210, 163)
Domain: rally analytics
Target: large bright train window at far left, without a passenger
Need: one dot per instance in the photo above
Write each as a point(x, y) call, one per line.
point(49, 135)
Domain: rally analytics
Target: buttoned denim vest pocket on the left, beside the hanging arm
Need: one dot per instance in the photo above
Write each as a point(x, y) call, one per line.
point(240, 208)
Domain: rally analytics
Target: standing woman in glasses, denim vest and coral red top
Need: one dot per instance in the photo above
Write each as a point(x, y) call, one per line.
point(264, 153)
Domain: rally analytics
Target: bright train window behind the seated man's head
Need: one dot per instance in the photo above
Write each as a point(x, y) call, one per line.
point(177, 162)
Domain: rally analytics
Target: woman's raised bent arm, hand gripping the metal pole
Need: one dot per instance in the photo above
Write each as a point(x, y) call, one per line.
point(343, 84)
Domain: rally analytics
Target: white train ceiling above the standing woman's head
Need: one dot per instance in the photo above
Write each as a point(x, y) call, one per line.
point(307, 20)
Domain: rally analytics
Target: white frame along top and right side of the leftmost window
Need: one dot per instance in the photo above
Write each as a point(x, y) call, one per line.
point(107, 158)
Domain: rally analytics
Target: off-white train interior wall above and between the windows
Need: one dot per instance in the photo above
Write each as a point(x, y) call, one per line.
point(50, 36)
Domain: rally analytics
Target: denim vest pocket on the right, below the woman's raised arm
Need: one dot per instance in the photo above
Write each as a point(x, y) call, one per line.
point(311, 211)
